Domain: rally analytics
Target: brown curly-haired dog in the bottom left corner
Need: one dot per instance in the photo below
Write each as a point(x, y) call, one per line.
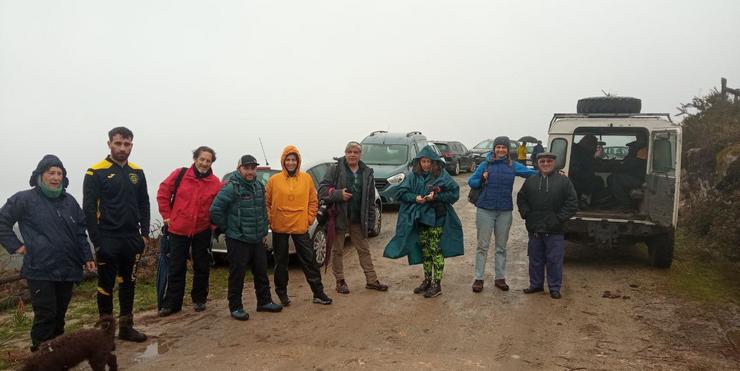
point(67, 351)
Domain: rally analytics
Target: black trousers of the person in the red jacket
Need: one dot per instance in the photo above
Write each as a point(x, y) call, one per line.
point(180, 246)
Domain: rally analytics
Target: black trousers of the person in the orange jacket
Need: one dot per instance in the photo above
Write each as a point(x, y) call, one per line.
point(306, 256)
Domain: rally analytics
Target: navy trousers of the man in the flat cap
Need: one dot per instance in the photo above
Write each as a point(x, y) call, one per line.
point(546, 250)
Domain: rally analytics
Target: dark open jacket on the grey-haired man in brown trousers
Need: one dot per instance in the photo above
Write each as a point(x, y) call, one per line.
point(336, 179)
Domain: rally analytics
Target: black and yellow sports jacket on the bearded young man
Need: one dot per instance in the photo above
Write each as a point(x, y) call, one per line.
point(115, 200)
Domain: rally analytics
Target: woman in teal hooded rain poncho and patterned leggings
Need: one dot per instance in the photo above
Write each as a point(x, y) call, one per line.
point(428, 229)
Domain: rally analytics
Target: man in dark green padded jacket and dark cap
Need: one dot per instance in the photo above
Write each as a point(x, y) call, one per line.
point(239, 210)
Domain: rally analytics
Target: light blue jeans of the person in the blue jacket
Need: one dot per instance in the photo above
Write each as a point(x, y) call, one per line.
point(486, 222)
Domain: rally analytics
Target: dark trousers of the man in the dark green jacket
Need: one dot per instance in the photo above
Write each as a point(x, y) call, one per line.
point(243, 255)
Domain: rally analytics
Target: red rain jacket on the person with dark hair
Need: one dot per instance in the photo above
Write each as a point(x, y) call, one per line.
point(189, 215)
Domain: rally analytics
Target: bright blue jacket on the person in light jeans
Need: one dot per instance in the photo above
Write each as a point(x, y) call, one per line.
point(496, 194)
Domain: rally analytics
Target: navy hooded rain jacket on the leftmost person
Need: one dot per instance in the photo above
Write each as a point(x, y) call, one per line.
point(53, 231)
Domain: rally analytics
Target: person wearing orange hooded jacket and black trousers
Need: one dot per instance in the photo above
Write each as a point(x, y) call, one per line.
point(291, 206)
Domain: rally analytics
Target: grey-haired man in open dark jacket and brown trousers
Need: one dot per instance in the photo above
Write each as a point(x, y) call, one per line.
point(349, 186)
